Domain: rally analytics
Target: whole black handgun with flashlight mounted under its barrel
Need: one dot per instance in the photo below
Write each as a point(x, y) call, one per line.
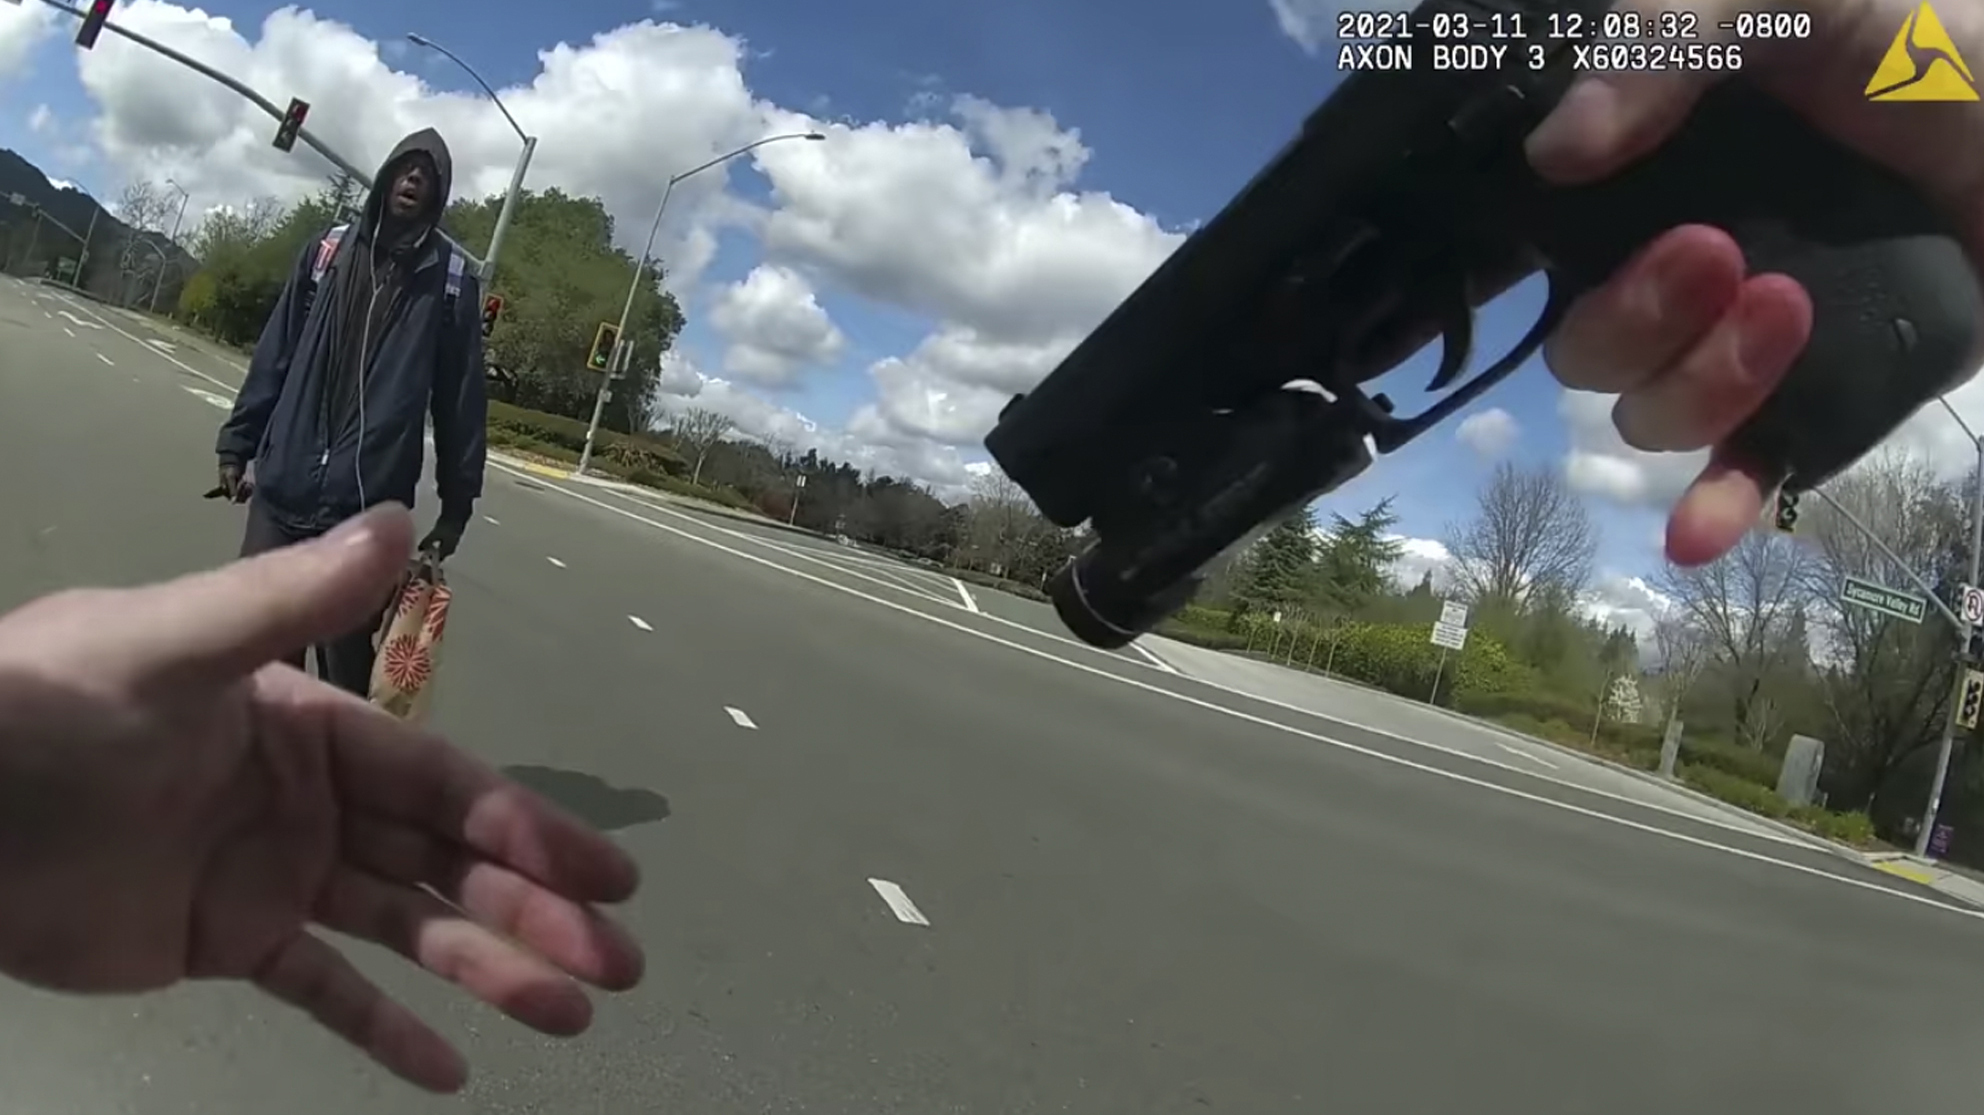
point(1402, 207)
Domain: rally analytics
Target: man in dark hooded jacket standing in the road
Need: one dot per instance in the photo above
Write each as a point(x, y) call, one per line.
point(376, 328)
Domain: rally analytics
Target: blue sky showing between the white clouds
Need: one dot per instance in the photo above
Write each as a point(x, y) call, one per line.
point(1178, 100)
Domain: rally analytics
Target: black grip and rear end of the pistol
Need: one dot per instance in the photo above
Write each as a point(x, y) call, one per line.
point(1896, 299)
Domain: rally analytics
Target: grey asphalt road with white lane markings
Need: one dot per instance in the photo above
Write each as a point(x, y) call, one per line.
point(1140, 894)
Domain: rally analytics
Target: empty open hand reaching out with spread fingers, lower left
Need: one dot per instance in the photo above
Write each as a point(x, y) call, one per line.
point(176, 806)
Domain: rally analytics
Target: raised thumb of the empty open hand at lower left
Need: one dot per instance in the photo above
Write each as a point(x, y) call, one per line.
point(225, 624)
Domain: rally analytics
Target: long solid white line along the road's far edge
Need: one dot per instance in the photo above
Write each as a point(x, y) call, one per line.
point(1318, 737)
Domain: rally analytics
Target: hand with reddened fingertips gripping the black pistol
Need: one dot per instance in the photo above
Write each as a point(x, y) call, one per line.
point(1687, 340)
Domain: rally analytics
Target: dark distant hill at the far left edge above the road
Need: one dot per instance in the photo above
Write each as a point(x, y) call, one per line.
point(108, 275)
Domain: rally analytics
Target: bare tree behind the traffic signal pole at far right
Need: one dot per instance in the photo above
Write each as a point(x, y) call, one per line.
point(1892, 683)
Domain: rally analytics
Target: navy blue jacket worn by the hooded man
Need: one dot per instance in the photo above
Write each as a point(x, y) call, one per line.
point(430, 360)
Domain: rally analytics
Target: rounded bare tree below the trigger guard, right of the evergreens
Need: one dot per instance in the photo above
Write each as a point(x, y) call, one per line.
point(1529, 531)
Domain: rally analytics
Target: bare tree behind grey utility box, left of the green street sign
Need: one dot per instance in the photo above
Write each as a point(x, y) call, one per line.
point(1747, 604)
